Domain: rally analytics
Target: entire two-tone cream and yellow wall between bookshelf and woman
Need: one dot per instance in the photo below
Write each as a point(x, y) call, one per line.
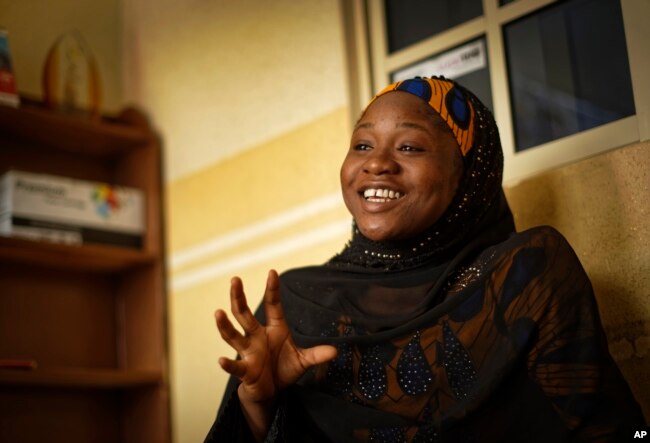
point(250, 98)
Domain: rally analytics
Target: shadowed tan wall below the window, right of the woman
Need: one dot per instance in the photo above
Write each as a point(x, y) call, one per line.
point(600, 205)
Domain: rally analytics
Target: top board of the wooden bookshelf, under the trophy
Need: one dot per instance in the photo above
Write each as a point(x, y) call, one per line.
point(79, 134)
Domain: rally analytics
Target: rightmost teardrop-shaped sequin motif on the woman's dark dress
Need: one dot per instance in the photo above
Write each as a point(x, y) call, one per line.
point(458, 364)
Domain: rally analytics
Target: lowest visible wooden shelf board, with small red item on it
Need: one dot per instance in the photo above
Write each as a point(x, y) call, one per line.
point(80, 378)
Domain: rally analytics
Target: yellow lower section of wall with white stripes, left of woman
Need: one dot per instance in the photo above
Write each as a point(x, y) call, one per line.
point(275, 205)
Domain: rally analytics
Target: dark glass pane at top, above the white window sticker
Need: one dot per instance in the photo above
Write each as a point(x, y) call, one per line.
point(409, 21)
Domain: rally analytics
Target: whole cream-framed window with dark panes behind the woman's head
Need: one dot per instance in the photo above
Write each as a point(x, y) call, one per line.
point(565, 79)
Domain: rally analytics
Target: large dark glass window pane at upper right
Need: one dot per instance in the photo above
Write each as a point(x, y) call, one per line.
point(568, 70)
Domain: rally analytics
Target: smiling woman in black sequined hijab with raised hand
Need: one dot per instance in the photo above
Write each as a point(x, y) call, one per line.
point(437, 322)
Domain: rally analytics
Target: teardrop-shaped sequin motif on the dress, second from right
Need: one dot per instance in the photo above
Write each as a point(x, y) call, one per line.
point(413, 371)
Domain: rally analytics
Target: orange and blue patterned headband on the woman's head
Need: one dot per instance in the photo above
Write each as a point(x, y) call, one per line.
point(447, 100)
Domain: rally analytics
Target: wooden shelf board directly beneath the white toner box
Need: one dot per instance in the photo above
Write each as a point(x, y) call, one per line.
point(101, 258)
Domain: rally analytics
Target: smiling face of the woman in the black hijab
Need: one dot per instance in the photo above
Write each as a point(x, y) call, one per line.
point(402, 169)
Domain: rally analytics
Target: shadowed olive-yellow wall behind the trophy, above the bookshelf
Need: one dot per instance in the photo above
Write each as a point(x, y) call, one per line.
point(35, 25)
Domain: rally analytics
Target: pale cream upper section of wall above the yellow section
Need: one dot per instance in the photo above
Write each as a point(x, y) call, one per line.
point(222, 76)
